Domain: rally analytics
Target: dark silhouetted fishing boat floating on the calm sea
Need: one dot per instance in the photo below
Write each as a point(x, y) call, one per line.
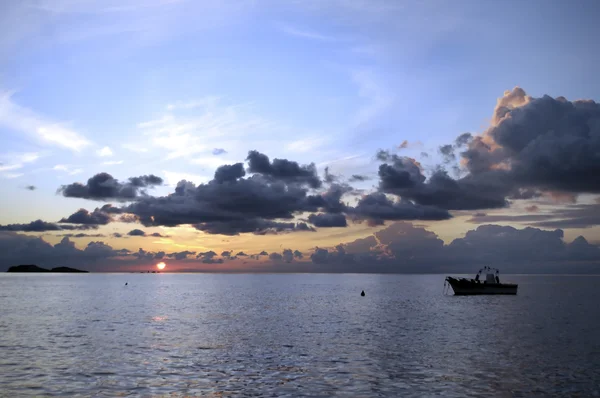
point(491, 284)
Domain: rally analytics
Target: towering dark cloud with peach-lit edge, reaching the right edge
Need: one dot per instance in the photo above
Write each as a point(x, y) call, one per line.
point(529, 149)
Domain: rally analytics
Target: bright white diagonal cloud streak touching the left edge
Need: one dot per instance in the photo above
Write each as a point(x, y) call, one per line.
point(15, 117)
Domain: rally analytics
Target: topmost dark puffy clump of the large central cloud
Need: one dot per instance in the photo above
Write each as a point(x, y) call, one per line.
point(283, 169)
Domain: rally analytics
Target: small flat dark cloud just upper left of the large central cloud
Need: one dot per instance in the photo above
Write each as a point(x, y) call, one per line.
point(103, 186)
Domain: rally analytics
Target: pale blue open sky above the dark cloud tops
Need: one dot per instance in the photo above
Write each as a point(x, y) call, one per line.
point(155, 86)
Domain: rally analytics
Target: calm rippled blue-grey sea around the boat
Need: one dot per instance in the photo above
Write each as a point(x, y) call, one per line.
point(295, 335)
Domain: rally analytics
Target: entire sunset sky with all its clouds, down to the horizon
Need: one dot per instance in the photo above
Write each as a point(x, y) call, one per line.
point(300, 136)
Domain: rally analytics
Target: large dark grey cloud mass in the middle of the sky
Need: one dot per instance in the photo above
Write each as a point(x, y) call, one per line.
point(232, 203)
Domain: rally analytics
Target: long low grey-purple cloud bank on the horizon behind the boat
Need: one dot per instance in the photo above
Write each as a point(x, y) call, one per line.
point(402, 247)
